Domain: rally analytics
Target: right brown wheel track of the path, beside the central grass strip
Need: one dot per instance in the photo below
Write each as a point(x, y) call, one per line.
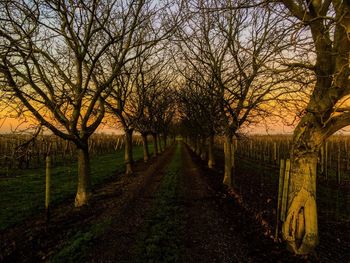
point(208, 236)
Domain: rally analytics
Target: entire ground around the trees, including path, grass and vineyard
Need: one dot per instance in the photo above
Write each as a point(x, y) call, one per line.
point(173, 209)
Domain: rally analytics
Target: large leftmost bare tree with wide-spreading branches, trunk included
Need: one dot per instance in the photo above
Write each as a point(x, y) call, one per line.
point(59, 60)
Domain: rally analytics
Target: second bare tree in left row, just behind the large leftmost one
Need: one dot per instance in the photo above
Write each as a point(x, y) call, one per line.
point(125, 100)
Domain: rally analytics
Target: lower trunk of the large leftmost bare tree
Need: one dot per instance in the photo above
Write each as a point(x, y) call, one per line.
point(83, 191)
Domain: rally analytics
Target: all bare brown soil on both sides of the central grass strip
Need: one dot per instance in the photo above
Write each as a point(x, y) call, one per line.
point(216, 228)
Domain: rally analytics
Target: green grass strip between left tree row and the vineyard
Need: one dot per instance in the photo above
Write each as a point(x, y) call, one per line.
point(24, 195)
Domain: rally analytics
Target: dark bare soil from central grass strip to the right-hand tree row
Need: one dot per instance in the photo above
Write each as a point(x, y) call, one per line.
point(217, 228)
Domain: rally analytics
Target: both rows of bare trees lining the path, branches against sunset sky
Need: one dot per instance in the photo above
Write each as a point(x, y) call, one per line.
point(212, 66)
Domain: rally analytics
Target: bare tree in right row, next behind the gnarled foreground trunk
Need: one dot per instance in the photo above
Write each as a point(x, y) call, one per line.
point(238, 49)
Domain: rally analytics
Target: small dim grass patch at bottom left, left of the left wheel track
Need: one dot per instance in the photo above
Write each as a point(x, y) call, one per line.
point(76, 248)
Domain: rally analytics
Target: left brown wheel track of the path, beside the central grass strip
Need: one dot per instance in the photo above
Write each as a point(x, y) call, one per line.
point(117, 244)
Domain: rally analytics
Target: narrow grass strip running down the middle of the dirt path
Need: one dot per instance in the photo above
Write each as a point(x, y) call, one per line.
point(159, 241)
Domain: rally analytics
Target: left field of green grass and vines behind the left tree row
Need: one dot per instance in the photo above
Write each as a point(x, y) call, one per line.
point(23, 188)
